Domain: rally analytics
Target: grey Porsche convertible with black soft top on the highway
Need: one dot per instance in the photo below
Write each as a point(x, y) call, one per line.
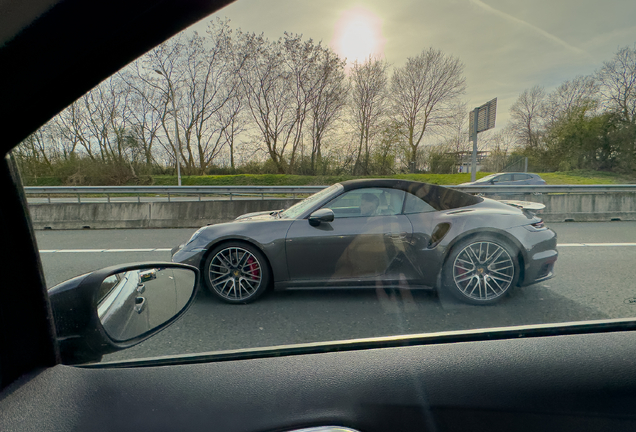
point(377, 233)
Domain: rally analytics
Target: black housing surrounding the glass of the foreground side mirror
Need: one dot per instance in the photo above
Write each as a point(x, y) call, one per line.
point(81, 336)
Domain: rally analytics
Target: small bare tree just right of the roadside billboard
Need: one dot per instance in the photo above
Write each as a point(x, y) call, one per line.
point(527, 115)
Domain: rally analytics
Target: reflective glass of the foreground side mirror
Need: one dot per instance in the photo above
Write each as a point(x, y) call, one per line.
point(134, 302)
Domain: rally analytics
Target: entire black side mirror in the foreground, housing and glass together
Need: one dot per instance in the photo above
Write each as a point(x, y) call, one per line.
point(117, 307)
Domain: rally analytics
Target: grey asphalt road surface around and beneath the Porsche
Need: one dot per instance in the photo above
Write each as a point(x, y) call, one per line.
point(594, 281)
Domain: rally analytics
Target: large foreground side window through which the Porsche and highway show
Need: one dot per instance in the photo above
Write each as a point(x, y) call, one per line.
point(378, 103)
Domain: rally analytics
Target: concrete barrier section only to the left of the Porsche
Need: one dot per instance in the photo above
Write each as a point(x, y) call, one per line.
point(184, 214)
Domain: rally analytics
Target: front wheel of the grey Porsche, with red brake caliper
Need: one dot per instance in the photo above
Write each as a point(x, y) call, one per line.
point(242, 285)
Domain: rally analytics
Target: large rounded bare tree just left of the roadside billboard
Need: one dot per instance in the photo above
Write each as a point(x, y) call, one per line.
point(425, 93)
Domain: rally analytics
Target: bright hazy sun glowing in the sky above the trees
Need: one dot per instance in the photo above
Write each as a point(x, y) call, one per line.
point(358, 35)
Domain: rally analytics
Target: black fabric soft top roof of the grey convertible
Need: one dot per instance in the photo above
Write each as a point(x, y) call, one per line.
point(439, 197)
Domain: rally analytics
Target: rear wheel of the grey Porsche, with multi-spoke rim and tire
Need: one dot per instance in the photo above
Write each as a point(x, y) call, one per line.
point(481, 270)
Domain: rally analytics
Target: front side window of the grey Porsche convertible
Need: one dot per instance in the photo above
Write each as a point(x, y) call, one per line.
point(367, 202)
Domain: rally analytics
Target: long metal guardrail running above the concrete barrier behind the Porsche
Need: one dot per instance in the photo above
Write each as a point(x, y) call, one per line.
point(261, 191)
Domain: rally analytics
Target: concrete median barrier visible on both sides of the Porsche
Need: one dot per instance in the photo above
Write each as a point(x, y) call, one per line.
point(192, 214)
